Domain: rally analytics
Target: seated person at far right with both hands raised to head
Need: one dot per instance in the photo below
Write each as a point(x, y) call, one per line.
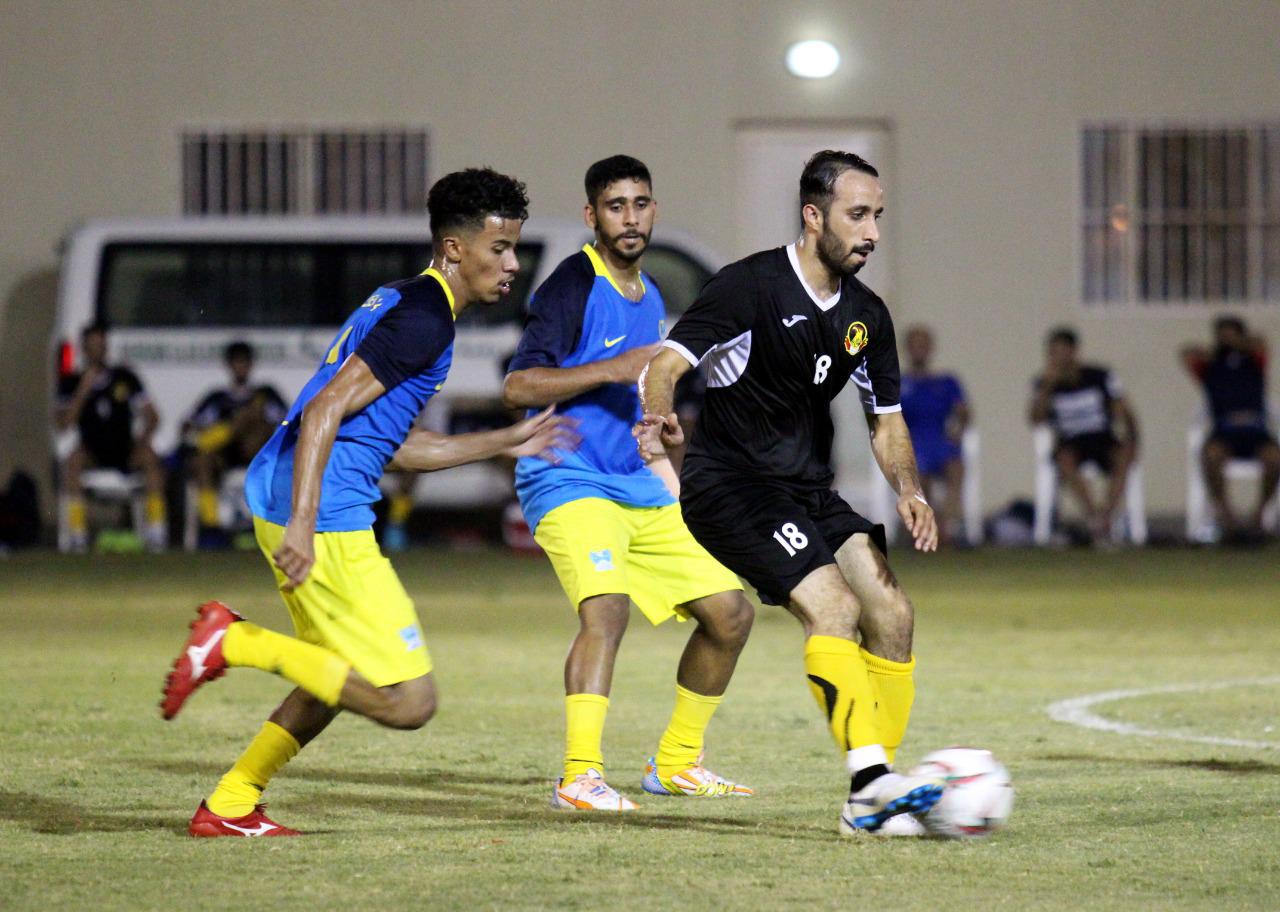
point(1235, 380)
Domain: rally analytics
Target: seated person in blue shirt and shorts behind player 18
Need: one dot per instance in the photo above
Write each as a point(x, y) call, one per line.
point(938, 414)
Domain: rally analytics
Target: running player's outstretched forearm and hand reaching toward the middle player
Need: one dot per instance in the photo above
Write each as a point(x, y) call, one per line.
point(545, 436)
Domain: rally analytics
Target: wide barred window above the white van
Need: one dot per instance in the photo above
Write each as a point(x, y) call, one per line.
point(304, 172)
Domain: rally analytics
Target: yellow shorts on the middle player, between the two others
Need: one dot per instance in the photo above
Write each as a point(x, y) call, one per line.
point(600, 546)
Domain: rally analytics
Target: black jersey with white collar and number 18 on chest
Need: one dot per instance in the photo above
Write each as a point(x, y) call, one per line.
point(775, 358)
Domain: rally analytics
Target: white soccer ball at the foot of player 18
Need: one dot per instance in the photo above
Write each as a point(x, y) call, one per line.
point(979, 795)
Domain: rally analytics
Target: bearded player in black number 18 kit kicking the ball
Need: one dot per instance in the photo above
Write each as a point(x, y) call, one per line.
point(781, 332)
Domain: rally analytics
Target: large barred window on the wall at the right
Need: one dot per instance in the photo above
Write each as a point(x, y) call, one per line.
point(1181, 216)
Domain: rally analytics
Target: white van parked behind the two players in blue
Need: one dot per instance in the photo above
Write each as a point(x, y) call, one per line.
point(176, 291)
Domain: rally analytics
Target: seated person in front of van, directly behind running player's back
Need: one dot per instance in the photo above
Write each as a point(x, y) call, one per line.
point(230, 427)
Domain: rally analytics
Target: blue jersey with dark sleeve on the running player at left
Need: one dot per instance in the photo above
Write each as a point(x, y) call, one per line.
point(405, 334)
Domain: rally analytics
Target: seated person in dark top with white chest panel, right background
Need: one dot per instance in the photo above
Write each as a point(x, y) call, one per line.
point(1092, 423)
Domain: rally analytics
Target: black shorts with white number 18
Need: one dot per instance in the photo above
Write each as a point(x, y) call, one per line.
point(771, 535)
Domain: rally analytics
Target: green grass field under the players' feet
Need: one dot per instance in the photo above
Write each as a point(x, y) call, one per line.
point(95, 791)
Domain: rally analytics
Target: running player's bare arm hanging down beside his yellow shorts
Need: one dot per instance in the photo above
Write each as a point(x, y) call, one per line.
point(348, 393)
